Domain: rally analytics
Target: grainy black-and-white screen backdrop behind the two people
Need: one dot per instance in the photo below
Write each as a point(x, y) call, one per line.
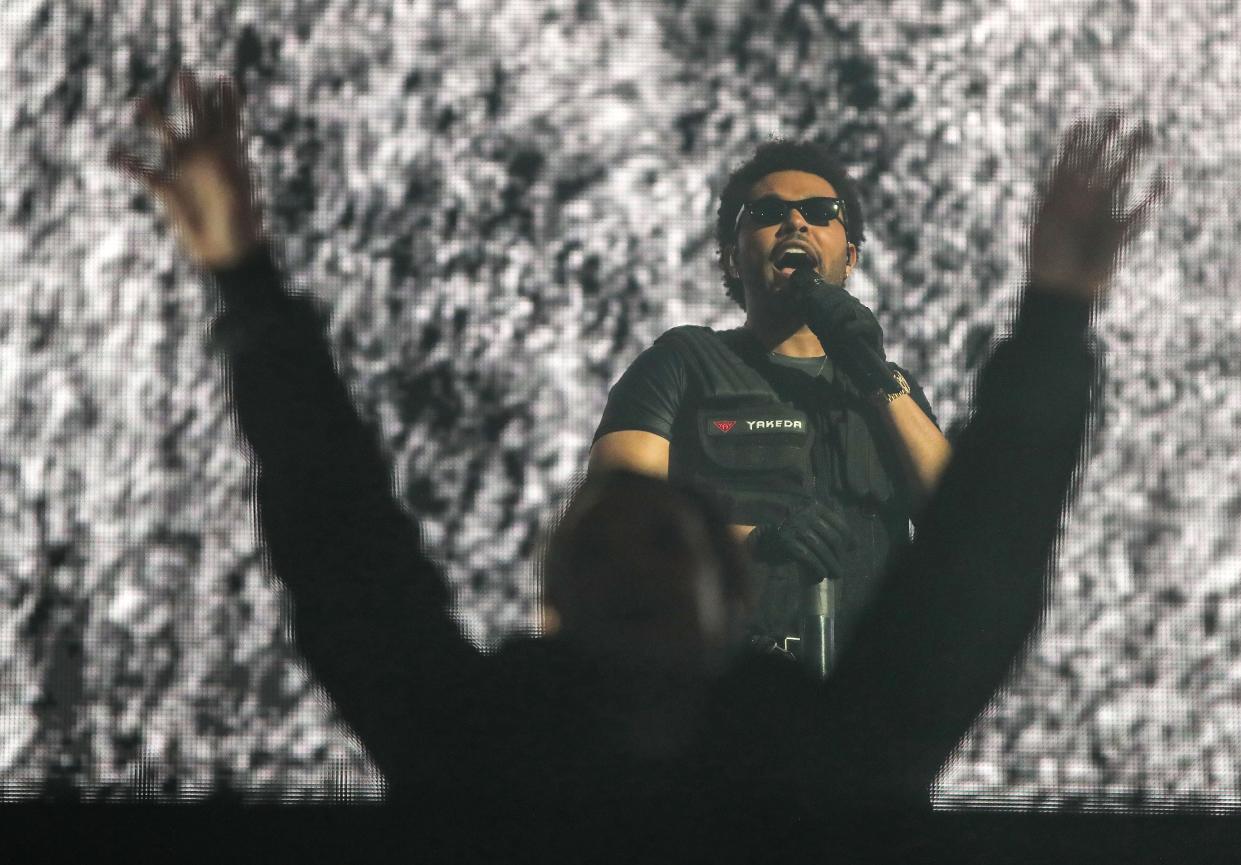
point(502, 203)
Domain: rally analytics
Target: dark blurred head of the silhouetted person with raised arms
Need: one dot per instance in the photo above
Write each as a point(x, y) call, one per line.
point(647, 575)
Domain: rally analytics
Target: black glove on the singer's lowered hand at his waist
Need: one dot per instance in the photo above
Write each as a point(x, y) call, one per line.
point(816, 538)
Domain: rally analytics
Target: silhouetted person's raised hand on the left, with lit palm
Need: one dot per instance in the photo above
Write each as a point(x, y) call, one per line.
point(205, 184)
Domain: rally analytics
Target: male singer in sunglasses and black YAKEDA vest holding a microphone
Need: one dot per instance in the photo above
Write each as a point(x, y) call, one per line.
point(821, 449)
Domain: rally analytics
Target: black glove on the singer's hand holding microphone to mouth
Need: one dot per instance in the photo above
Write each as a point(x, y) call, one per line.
point(848, 329)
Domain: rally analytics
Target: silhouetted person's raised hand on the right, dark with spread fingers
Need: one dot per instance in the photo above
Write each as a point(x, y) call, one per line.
point(1083, 222)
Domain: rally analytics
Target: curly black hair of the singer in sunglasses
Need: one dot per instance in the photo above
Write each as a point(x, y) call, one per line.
point(782, 156)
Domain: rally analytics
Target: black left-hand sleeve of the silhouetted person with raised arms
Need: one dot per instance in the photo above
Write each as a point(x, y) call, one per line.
point(370, 607)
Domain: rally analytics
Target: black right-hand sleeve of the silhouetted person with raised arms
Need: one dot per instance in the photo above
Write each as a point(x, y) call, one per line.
point(964, 600)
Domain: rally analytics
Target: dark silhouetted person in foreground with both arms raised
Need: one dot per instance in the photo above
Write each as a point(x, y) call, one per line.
point(641, 710)
